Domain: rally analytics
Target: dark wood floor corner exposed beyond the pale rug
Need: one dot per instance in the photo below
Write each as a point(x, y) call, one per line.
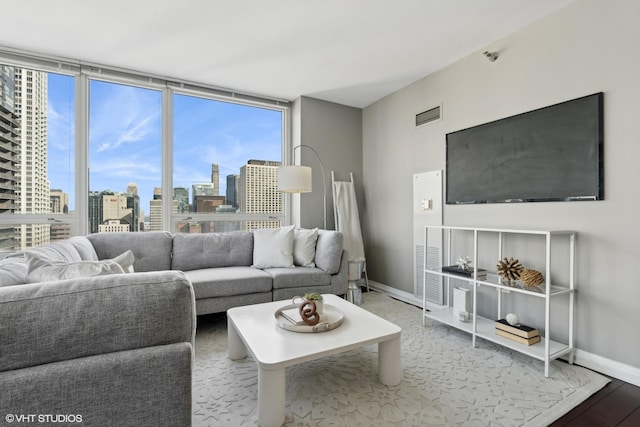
point(617, 404)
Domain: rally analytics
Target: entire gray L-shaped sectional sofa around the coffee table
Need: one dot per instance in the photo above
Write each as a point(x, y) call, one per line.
point(117, 349)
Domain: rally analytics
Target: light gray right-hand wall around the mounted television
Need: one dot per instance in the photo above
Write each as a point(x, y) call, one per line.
point(590, 46)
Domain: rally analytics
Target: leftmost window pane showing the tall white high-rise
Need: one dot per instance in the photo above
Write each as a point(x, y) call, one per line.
point(37, 149)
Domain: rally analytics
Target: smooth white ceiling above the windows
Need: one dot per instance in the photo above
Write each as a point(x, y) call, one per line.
point(352, 52)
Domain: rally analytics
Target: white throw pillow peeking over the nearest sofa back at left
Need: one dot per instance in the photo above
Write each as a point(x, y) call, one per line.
point(42, 269)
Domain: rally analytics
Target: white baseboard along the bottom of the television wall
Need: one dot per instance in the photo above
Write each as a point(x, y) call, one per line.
point(611, 368)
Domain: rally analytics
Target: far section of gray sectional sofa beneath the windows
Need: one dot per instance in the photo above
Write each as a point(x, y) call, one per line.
point(219, 265)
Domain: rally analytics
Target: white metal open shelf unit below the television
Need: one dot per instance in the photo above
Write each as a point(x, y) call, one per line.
point(546, 294)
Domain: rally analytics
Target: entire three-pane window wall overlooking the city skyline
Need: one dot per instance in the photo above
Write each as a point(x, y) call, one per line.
point(85, 149)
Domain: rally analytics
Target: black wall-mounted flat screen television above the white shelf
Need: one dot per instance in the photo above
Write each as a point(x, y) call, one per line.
point(554, 153)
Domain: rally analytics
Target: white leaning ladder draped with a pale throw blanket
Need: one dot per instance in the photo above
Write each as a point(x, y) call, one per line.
point(347, 219)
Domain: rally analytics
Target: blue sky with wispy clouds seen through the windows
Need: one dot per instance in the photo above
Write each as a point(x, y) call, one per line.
point(125, 134)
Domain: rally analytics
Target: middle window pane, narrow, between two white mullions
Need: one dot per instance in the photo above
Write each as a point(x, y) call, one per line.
point(125, 158)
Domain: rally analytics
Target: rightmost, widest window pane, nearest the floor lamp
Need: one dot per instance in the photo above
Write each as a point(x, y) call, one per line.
point(225, 158)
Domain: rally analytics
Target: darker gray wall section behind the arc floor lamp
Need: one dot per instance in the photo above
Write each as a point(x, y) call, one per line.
point(335, 133)
